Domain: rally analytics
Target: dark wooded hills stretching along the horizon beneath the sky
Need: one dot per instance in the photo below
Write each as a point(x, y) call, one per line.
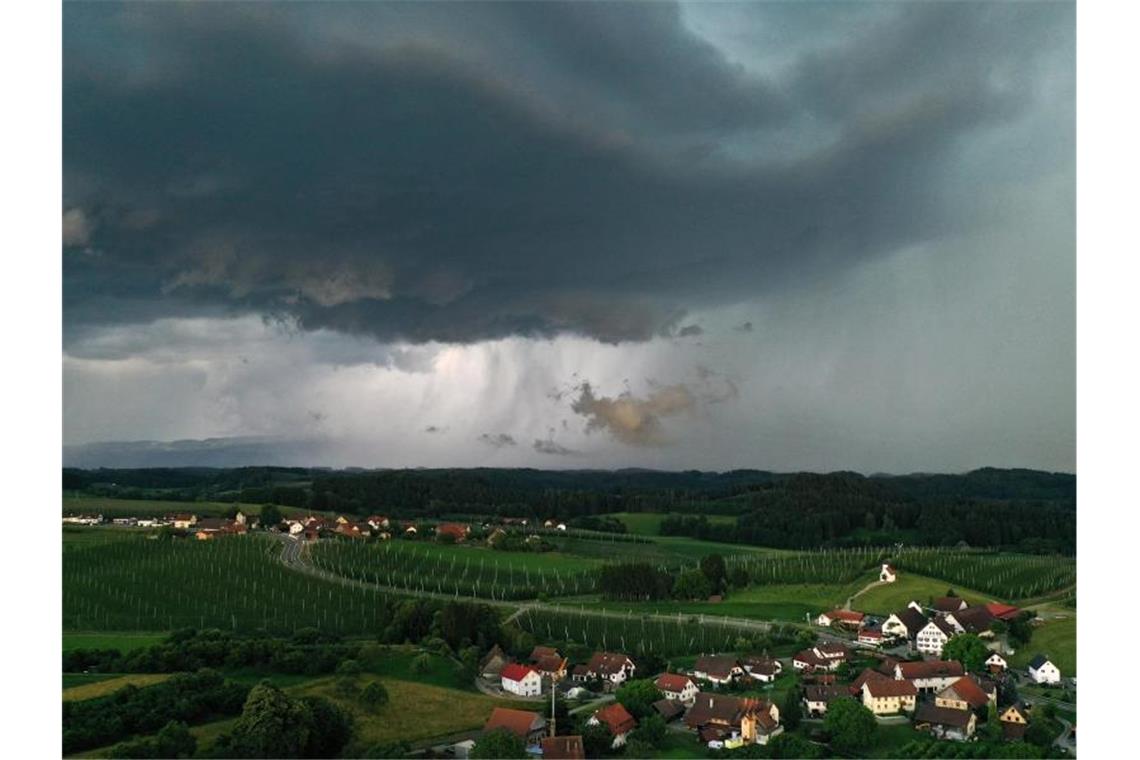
point(1013, 509)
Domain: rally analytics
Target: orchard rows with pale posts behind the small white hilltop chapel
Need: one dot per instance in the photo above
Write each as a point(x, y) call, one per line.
point(1006, 576)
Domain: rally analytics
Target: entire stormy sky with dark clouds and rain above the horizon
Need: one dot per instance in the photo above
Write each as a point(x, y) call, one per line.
point(784, 236)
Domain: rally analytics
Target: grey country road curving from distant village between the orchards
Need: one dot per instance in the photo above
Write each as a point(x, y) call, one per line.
point(295, 555)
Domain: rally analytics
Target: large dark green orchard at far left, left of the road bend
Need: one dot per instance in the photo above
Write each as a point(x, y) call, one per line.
point(146, 585)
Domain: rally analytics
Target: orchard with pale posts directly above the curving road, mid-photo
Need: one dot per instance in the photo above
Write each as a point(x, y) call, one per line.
point(461, 570)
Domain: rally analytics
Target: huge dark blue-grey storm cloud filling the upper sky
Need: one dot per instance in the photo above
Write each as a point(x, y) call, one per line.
point(463, 173)
